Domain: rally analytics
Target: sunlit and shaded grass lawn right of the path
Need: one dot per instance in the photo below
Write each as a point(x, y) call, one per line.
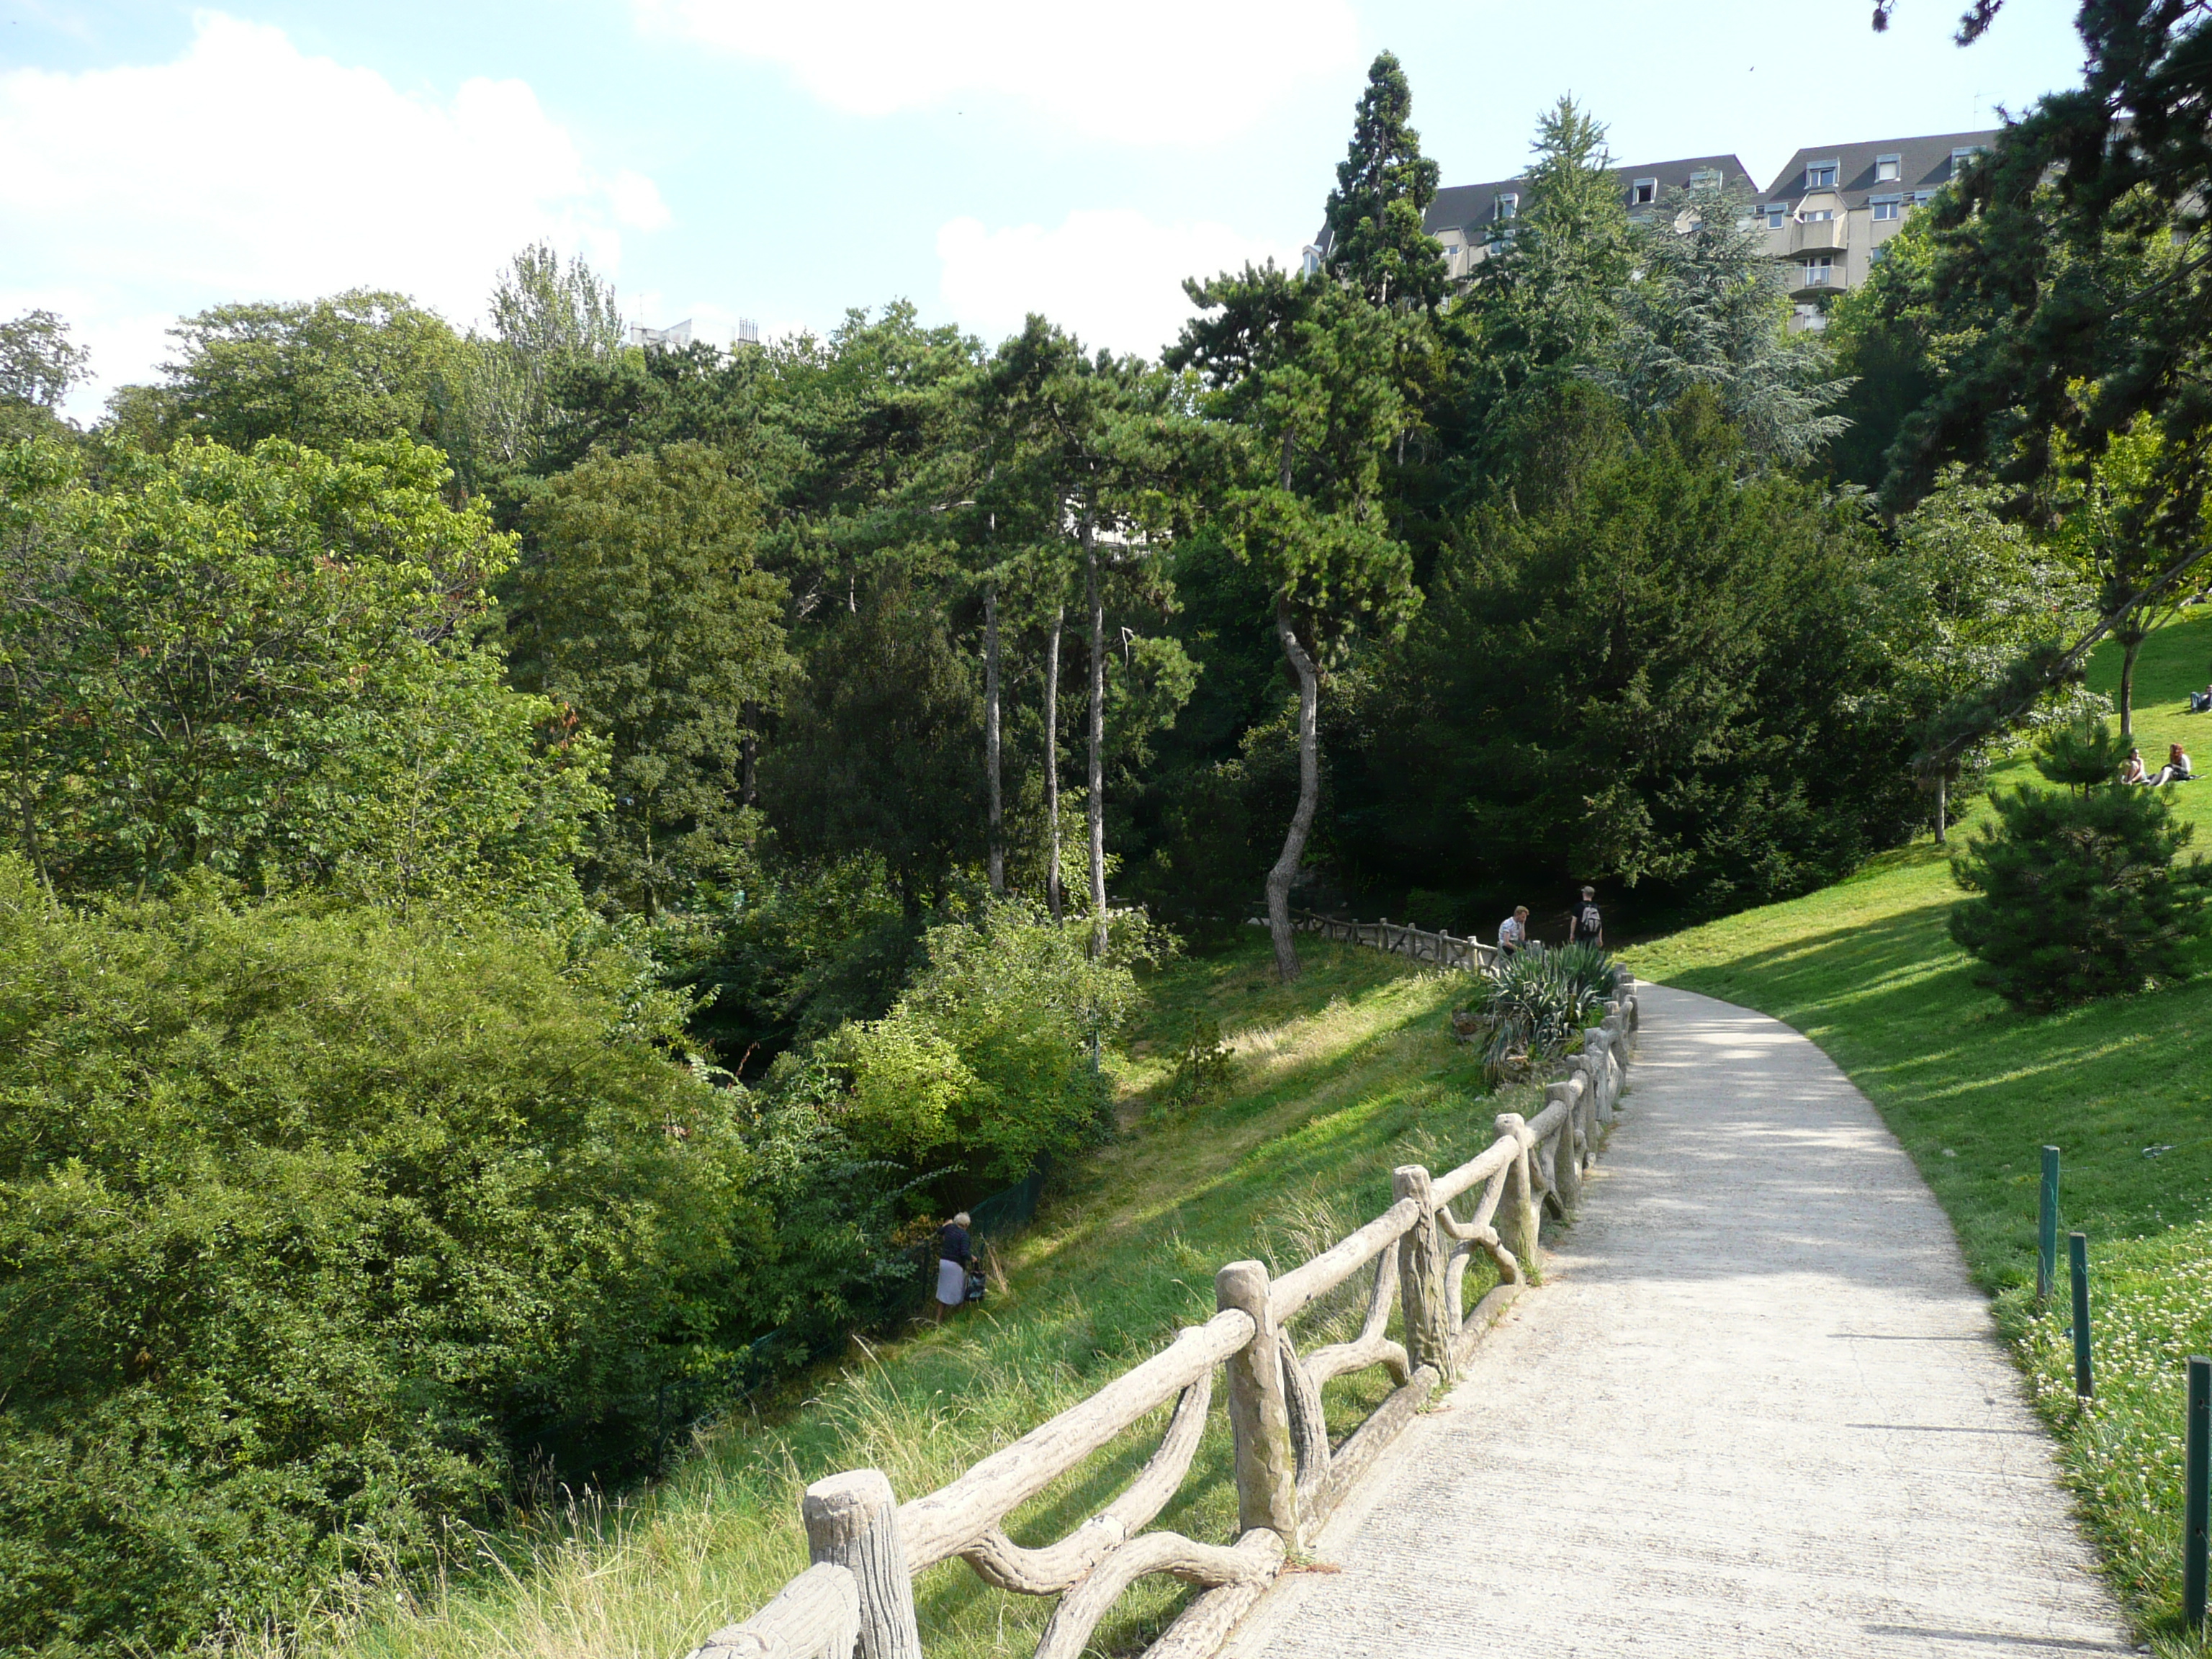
point(1972, 1089)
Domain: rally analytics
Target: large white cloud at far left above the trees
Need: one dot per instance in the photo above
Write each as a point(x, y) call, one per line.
point(249, 169)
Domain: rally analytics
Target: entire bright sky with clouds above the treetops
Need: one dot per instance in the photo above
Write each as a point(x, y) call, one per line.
point(789, 163)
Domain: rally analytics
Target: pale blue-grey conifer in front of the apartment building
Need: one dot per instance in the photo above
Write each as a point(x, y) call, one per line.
point(1709, 309)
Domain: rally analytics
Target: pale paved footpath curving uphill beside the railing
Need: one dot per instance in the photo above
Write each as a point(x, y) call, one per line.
point(1755, 1410)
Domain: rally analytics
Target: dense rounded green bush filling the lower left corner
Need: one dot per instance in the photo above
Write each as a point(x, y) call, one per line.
point(320, 1229)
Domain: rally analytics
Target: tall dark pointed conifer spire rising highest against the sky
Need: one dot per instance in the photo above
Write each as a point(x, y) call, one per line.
point(1384, 189)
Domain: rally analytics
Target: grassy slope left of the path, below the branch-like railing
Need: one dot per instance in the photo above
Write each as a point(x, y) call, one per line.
point(1339, 1078)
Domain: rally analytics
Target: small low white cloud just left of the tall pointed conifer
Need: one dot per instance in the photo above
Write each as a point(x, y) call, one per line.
point(1112, 278)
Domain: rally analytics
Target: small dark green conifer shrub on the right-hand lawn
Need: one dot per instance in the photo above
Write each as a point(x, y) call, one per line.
point(2078, 886)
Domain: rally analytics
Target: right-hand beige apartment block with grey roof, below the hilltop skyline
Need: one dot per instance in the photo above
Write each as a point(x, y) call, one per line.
point(1833, 209)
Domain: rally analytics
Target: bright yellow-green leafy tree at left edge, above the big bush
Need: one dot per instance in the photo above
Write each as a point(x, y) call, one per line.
point(260, 665)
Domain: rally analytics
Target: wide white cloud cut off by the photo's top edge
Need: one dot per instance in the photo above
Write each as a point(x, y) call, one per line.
point(1145, 72)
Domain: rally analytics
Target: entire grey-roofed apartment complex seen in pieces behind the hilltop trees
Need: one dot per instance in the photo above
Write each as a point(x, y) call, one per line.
point(1826, 216)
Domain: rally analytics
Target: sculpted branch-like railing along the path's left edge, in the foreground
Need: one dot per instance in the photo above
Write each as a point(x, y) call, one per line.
point(868, 1547)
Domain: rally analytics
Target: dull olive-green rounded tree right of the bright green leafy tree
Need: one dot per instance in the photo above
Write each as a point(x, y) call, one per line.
point(647, 614)
